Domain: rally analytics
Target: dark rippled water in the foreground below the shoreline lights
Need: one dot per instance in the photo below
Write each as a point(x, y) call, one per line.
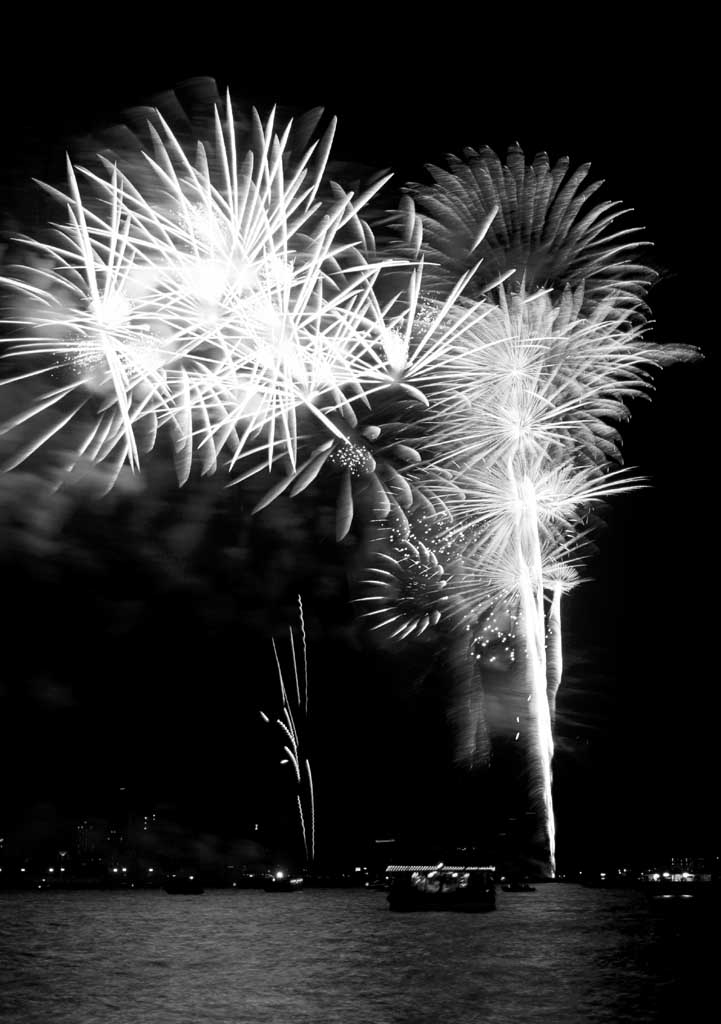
point(564, 955)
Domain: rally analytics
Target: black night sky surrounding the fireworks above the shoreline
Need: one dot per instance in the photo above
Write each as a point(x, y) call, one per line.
point(138, 656)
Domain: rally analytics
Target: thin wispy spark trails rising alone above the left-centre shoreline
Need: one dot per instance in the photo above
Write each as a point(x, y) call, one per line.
point(293, 740)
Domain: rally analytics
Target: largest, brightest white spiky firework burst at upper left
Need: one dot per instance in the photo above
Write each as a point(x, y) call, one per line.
point(213, 296)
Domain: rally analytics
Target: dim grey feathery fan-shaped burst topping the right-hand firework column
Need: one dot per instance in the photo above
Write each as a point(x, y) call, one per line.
point(534, 221)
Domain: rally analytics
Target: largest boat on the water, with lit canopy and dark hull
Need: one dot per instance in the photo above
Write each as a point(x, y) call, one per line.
point(465, 888)
